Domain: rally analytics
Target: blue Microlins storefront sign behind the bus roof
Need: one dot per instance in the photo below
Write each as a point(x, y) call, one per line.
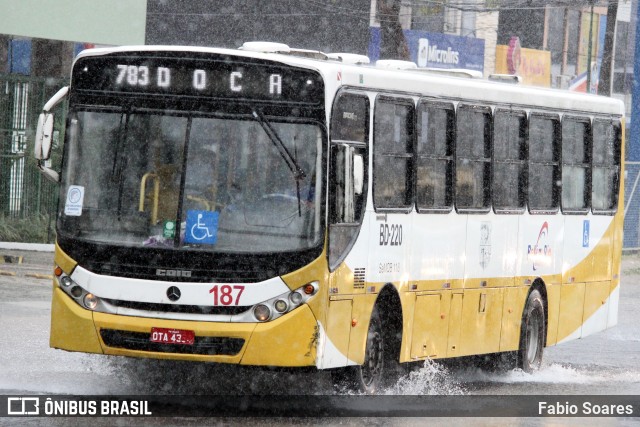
point(434, 50)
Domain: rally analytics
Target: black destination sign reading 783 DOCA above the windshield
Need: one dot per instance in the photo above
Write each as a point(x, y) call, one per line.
point(219, 77)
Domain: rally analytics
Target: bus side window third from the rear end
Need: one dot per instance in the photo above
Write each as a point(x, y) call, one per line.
point(544, 170)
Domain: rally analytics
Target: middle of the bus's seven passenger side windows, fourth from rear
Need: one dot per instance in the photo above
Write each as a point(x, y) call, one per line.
point(509, 161)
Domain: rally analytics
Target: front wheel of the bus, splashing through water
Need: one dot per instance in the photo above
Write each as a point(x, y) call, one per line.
point(369, 377)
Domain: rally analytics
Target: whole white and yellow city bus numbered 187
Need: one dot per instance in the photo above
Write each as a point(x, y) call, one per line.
point(276, 207)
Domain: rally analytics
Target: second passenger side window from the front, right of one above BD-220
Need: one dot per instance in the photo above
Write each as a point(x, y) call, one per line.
point(434, 169)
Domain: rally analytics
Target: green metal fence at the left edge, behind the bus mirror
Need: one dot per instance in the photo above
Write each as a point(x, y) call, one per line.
point(28, 201)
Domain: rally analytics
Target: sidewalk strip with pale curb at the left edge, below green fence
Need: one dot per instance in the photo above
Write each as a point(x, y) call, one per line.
point(26, 260)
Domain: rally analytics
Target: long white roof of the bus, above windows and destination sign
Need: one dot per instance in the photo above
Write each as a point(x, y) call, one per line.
point(411, 81)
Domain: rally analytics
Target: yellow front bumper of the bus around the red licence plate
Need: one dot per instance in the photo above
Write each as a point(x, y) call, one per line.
point(289, 341)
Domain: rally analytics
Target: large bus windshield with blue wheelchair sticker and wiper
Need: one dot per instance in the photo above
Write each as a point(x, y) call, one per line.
point(208, 183)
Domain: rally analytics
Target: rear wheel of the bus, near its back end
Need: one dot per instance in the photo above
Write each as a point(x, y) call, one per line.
point(532, 334)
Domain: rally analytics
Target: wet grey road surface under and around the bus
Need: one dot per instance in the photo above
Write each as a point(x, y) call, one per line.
point(605, 363)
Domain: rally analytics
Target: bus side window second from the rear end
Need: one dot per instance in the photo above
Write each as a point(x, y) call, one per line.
point(576, 158)
